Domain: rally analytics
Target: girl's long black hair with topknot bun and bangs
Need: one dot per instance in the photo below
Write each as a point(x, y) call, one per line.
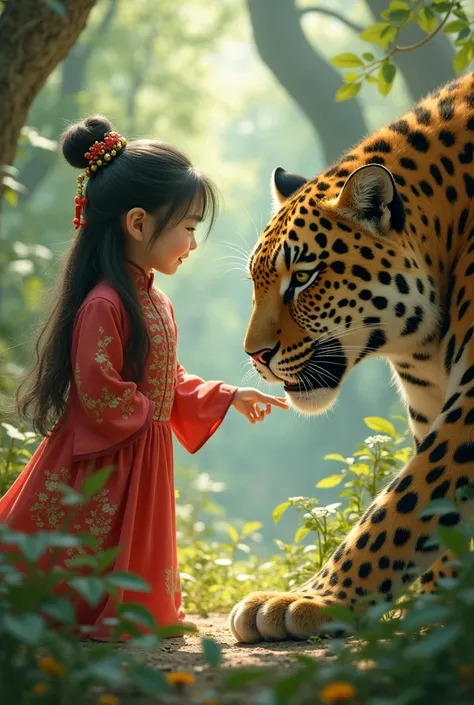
point(148, 174)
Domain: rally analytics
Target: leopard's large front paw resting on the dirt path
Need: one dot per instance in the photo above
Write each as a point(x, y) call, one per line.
point(277, 616)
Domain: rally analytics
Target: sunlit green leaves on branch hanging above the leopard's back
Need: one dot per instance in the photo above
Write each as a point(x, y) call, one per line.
point(432, 17)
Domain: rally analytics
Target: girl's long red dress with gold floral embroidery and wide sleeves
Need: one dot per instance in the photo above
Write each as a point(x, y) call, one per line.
point(111, 421)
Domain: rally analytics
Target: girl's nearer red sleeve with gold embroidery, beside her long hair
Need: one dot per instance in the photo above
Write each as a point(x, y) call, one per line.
point(110, 412)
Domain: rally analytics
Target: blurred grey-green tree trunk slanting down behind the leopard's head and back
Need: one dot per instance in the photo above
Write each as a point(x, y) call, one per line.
point(308, 78)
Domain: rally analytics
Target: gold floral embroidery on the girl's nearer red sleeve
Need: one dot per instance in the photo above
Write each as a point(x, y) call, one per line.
point(107, 399)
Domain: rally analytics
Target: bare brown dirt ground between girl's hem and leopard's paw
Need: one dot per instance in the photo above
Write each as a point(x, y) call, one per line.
point(185, 654)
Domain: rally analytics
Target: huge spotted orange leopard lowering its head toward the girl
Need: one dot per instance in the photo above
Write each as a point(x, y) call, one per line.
point(375, 257)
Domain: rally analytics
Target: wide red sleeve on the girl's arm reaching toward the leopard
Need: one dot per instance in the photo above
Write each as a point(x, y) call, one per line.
point(199, 408)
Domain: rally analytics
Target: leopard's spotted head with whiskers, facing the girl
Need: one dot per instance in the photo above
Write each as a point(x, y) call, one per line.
point(335, 280)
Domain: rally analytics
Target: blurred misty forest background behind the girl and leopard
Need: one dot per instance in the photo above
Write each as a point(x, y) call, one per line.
point(243, 86)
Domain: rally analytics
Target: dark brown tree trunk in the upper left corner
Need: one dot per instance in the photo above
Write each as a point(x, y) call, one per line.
point(33, 40)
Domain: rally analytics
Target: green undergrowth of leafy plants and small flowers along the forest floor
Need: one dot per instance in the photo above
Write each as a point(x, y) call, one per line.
point(416, 650)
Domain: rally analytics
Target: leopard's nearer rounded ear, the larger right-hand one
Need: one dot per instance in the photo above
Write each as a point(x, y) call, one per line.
point(370, 197)
